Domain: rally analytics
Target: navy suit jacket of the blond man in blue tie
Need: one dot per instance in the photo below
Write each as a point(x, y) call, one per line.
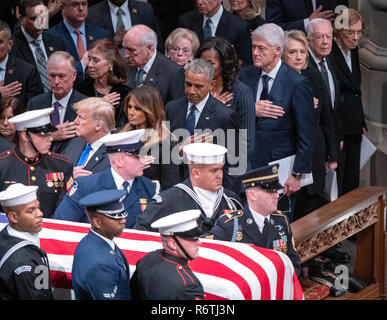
point(99, 161)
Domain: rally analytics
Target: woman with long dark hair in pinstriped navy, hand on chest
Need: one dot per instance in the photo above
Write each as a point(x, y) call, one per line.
point(227, 88)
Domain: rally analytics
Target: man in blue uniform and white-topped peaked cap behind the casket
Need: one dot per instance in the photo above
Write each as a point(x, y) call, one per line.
point(125, 172)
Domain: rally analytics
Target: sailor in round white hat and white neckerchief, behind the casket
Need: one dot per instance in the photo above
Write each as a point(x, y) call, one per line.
point(202, 190)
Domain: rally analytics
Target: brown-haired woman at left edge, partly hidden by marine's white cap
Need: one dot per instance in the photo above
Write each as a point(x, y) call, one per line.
point(9, 107)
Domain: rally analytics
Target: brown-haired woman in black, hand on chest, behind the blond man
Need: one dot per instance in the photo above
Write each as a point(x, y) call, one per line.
point(106, 74)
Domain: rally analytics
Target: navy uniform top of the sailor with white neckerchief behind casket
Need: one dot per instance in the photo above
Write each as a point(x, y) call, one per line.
point(183, 197)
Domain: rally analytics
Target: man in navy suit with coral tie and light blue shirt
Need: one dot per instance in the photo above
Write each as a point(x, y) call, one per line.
point(76, 33)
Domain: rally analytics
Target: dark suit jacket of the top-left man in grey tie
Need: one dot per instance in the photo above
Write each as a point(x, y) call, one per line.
point(22, 50)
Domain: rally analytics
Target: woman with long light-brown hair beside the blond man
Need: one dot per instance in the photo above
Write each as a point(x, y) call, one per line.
point(145, 110)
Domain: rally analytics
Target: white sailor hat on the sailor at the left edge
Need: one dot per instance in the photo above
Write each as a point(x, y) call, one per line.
point(17, 194)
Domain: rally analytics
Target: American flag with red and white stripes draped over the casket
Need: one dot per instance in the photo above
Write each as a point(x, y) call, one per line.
point(229, 271)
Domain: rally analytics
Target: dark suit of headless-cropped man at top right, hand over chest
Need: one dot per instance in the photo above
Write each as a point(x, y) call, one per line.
point(290, 14)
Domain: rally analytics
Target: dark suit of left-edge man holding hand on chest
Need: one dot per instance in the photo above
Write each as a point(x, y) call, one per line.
point(26, 74)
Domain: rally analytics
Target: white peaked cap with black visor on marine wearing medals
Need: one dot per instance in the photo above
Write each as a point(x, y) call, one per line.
point(36, 121)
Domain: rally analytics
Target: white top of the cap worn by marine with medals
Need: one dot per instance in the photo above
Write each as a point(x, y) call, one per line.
point(32, 119)
